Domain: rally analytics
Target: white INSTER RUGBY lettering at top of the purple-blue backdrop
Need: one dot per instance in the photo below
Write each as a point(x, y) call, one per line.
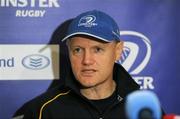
point(30, 8)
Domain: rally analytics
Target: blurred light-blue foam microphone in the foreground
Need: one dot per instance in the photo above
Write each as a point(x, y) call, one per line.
point(143, 104)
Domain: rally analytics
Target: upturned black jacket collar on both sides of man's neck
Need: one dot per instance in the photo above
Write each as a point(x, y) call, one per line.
point(124, 82)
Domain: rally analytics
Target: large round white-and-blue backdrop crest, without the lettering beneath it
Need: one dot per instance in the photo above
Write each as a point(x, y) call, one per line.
point(135, 57)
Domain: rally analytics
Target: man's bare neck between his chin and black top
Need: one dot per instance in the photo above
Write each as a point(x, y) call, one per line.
point(101, 91)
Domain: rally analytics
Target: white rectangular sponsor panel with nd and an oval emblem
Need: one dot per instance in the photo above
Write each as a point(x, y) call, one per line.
point(34, 62)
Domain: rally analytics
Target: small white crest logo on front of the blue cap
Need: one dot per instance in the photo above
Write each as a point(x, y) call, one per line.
point(87, 21)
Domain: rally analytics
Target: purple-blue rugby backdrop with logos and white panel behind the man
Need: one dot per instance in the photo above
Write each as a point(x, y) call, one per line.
point(30, 48)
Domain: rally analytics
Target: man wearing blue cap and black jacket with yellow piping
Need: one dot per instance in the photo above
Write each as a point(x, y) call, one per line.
point(95, 86)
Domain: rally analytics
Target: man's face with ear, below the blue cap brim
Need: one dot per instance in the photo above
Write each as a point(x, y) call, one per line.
point(92, 61)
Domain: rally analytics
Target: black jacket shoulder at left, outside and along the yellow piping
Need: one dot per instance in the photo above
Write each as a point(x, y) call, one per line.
point(31, 109)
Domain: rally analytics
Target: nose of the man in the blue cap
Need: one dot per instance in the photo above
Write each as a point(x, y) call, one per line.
point(88, 58)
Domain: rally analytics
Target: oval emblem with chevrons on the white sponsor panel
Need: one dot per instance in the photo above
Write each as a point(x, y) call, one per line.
point(35, 62)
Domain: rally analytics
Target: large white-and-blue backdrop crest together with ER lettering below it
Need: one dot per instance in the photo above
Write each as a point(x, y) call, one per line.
point(135, 57)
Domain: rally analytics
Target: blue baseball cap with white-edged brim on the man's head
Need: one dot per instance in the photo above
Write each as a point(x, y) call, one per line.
point(96, 24)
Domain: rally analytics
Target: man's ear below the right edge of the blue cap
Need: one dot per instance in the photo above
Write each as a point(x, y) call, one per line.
point(119, 49)
